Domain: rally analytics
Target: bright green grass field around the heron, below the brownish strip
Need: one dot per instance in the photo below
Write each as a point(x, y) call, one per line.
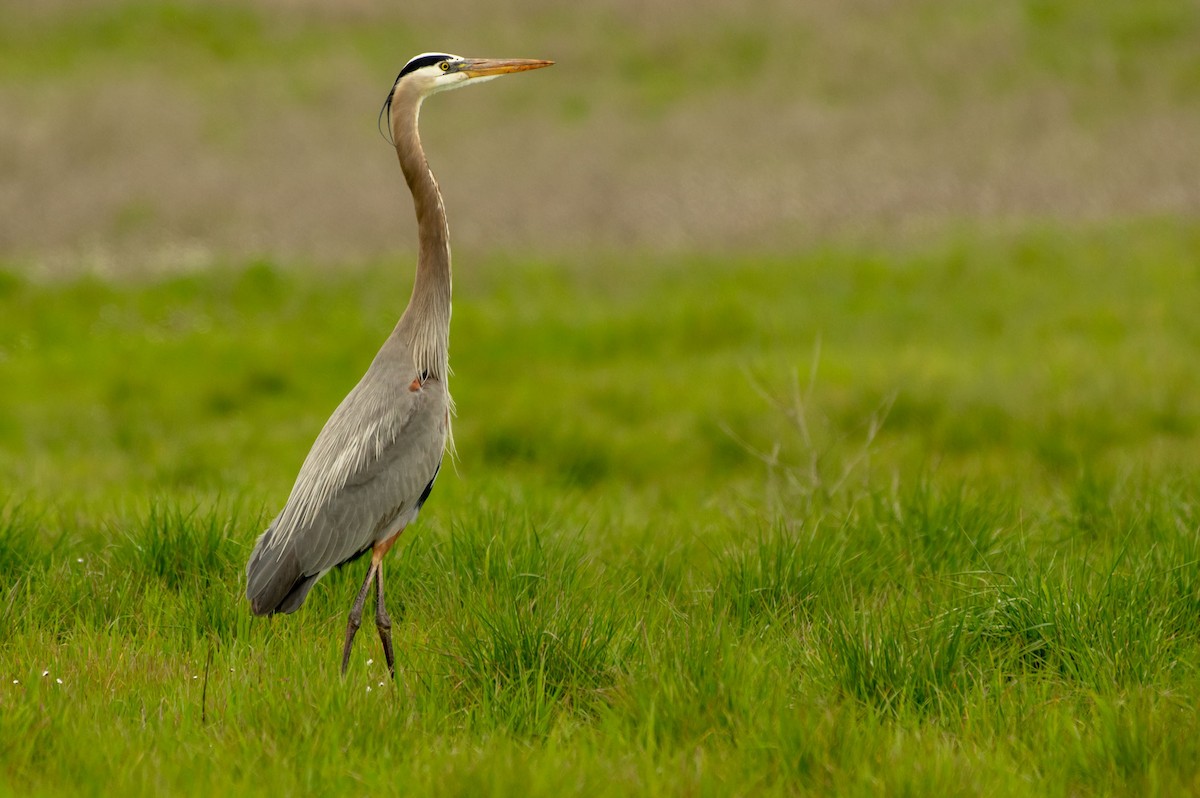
point(855, 521)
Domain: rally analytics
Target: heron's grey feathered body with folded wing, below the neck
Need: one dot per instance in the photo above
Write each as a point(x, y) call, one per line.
point(368, 471)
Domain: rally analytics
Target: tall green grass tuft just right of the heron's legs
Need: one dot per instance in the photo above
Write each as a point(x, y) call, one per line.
point(535, 634)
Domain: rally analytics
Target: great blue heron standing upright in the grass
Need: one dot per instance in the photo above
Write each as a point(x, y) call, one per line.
point(374, 464)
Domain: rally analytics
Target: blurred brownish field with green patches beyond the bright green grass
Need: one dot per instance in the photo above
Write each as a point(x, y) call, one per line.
point(145, 135)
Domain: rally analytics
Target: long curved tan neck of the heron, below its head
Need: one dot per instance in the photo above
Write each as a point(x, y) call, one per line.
point(427, 321)
